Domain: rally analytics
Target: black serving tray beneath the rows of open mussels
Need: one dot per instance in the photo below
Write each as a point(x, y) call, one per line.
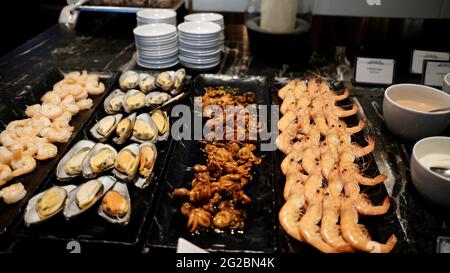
point(90, 227)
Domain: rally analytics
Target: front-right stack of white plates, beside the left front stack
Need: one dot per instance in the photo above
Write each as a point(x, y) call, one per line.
point(199, 44)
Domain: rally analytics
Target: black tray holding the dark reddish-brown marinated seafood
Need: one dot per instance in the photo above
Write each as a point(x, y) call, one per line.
point(169, 224)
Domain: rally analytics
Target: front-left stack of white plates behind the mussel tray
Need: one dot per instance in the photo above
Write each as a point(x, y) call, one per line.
point(157, 45)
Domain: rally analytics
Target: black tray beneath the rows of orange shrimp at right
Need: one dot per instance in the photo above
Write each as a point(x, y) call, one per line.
point(380, 227)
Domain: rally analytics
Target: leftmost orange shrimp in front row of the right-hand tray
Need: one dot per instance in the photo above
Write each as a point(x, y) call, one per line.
point(291, 213)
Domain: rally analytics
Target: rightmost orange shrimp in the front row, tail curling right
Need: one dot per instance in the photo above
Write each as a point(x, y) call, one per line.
point(353, 234)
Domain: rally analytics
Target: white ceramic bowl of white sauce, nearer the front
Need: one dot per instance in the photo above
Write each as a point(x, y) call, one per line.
point(432, 186)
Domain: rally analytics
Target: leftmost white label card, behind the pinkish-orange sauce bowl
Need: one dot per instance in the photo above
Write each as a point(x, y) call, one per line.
point(374, 71)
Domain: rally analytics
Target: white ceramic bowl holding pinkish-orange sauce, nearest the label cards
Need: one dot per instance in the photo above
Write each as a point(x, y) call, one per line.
point(412, 124)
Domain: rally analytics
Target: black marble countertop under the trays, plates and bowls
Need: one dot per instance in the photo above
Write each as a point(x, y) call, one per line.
point(106, 42)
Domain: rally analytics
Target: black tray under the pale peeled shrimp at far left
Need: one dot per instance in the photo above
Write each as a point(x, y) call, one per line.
point(13, 108)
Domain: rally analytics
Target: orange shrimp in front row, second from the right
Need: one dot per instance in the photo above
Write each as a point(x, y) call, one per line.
point(329, 229)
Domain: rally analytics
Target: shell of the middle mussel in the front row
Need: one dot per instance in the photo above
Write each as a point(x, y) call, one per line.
point(71, 208)
